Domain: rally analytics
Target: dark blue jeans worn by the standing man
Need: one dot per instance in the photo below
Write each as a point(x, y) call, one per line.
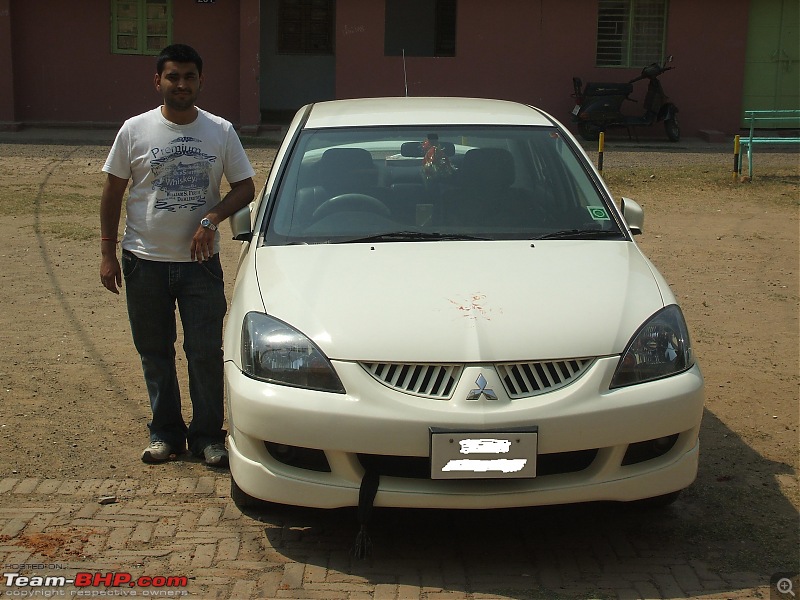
point(152, 290)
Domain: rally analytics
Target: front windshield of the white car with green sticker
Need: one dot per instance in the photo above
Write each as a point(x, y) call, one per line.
point(374, 184)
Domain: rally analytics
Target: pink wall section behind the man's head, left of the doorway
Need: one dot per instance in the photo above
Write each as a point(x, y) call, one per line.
point(63, 70)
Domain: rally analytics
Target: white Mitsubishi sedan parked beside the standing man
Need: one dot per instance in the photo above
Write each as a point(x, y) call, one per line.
point(440, 296)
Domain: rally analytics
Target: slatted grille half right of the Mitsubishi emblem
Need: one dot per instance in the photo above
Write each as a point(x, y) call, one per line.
point(523, 380)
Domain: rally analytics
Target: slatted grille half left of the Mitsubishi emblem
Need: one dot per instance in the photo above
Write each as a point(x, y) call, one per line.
point(429, 381)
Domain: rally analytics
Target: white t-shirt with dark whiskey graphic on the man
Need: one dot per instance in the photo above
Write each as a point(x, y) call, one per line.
point(175, 173)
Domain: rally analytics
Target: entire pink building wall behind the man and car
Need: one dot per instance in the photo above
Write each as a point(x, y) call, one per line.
point(56, 65)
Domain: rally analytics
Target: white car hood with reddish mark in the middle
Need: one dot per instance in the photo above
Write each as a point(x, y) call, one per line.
point(462, 301)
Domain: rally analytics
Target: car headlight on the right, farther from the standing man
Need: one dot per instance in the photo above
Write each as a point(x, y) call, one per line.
point(659, 349)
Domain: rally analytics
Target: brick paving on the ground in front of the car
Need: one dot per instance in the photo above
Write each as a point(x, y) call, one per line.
point(190, 527)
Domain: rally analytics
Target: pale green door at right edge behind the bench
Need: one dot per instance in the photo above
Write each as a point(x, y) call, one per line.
point(772, 63)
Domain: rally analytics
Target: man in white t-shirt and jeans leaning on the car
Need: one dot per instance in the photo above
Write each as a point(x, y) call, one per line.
point(175, 156)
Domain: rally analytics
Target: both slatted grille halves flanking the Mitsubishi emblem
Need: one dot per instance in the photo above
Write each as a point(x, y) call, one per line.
point(521, 380)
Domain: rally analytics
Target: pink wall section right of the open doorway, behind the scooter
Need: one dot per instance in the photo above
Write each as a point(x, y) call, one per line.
point(529, 52)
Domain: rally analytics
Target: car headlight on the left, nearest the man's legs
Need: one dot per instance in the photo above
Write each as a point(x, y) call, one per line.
point(275, 352)
